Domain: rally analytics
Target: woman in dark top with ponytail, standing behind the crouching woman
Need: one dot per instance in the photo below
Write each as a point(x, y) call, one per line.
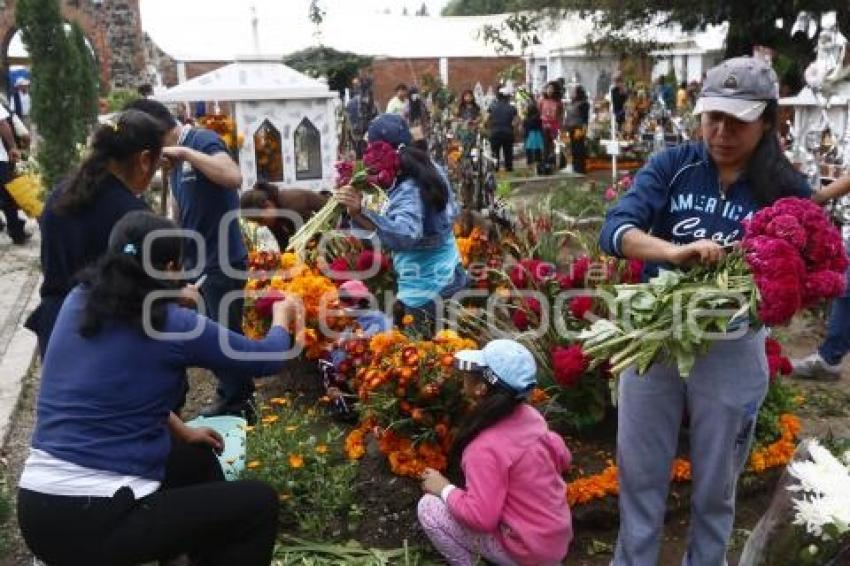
point(82, 209)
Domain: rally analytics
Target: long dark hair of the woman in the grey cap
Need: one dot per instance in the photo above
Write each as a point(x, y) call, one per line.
point(770, 174)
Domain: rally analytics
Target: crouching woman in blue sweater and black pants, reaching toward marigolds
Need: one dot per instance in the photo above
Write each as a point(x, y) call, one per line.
point(113, 476)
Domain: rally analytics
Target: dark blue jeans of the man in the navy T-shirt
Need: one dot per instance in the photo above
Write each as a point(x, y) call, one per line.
point(233, 388)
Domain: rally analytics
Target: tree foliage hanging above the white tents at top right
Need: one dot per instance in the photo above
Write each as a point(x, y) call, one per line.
point(618, 22)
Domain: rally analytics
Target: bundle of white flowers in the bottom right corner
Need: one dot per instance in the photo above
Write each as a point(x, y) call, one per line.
point(808, 521)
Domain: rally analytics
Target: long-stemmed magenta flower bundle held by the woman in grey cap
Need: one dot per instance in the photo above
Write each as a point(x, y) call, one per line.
point(784, 264)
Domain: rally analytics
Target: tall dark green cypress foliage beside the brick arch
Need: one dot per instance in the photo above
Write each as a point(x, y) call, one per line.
point(64, 85)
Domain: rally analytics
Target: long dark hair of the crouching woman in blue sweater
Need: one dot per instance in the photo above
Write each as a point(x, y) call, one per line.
point(119, 283)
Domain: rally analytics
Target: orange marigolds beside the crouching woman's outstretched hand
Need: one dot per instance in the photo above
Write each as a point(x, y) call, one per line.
point(317, 293)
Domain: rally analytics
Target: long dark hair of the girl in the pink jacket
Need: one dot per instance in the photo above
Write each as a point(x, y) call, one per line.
point(498, 404)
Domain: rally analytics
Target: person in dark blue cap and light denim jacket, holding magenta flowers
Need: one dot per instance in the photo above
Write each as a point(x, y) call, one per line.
point(416, 225)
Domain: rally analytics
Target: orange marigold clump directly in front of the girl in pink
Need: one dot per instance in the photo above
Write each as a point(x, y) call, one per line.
point(410, 395)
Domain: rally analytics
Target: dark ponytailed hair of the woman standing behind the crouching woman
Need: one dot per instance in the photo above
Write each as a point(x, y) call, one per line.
point(132, 133)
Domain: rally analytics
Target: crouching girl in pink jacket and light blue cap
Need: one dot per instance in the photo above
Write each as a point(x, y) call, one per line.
point(507, 503)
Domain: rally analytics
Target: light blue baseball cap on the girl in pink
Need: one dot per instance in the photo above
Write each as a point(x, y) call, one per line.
point(502, 362)
